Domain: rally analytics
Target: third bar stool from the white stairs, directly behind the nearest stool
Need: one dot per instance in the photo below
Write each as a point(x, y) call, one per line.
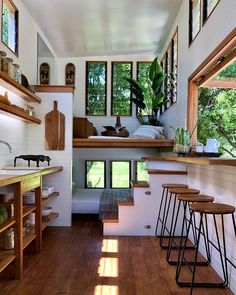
point(185, 201)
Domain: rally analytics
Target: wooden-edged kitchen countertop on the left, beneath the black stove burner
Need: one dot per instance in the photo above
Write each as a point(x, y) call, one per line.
point(6, 179)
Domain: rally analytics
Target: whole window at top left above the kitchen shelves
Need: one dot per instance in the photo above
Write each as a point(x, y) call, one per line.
point(10, 25)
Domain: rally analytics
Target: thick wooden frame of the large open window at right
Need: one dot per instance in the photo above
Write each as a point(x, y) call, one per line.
point(219, 59)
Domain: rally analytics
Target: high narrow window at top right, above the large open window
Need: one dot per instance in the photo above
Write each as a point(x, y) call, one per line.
point(199, 11)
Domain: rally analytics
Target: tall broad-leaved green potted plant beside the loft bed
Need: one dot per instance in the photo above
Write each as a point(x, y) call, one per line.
point(149, 95)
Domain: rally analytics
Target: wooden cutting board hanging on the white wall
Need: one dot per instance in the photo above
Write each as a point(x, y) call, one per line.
point(55, 129)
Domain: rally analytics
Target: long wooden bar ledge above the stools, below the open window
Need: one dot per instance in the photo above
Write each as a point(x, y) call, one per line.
point(195, 160)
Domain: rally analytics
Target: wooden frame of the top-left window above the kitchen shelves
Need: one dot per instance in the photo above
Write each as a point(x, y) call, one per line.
point(16, 28)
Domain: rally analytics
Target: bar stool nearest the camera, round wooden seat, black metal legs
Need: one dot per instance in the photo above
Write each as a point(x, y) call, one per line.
point(204, 210)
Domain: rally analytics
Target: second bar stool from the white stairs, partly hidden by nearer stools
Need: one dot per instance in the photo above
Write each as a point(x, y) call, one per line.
point(173, 193)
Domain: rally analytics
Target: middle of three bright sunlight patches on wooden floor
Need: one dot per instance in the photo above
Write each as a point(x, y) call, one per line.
point(108, 267)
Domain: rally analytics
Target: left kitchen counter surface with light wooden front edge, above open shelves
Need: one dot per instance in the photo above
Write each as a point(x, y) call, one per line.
point(10, 175)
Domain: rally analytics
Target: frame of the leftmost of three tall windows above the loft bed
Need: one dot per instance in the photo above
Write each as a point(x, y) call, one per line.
point(86, 86)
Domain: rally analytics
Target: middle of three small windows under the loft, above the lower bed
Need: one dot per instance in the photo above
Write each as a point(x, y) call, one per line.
point(120, 174)
